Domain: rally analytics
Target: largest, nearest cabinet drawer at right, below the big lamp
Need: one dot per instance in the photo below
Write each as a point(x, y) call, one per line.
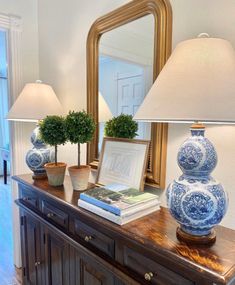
point(151, 271)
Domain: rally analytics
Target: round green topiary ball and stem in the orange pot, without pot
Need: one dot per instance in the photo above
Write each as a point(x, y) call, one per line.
point(52, 132)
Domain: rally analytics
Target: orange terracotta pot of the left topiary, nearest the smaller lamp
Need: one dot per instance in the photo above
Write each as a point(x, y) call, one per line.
point(55, 173)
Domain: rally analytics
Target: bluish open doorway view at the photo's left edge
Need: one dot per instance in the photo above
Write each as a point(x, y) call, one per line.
point(9, 274)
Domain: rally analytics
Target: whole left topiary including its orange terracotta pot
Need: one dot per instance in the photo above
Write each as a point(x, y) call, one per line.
point(52, 132)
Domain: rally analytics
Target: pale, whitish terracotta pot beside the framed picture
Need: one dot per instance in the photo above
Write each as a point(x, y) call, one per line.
point(79, 176)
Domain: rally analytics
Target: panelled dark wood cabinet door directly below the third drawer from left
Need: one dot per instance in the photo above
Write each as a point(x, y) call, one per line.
point(85, 270)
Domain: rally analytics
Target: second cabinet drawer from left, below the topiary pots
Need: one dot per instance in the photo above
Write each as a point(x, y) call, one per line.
point(56, 215)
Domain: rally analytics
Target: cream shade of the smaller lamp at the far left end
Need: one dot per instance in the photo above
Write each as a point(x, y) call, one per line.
point(35, 102)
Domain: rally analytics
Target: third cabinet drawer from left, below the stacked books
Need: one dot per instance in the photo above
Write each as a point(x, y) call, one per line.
point(94, 237)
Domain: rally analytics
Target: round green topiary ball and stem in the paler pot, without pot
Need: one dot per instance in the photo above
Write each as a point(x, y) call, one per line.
point(80, 128)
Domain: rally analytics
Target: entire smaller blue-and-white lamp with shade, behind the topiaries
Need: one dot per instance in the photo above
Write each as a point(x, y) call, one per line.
point(35, 102)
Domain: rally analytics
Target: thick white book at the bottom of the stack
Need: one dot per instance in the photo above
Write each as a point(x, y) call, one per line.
point(115, 218)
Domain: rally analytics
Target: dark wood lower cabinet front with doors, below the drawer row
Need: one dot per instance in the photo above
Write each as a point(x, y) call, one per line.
point(49, 259)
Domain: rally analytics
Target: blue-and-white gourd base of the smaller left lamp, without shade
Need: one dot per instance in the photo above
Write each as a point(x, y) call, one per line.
point(39, 155)
